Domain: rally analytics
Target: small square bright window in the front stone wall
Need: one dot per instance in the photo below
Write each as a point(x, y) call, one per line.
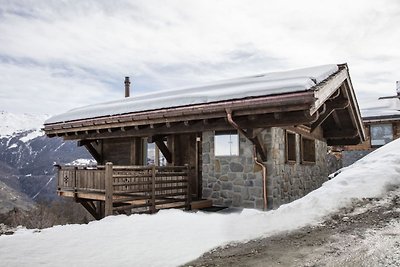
point(226, 143)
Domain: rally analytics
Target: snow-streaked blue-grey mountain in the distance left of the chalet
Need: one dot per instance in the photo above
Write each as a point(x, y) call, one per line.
point(27, 157)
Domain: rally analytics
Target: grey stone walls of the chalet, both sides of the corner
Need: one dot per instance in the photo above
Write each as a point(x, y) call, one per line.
point(237, 181)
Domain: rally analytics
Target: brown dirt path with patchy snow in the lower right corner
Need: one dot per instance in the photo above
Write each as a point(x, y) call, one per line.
point(369, 235)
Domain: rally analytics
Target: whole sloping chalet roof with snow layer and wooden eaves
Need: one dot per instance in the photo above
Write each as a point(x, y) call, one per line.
point(319, 99)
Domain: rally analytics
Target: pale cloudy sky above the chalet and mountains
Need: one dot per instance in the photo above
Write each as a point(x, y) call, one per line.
point(57, 55)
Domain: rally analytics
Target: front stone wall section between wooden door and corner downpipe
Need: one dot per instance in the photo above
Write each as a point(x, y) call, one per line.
point(231, 181)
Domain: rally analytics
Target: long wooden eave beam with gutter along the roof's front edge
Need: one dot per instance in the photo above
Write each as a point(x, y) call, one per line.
point(260, 105)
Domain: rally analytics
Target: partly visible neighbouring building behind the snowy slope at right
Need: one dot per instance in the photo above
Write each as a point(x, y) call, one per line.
point(382, 125)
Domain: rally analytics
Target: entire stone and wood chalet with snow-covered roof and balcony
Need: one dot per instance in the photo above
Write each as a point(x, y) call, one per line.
point(254, 142)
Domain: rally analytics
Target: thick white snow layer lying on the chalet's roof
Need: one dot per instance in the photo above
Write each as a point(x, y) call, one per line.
point(253, 86)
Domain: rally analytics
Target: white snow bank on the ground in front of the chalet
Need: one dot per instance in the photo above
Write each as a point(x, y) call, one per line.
point(173, 237)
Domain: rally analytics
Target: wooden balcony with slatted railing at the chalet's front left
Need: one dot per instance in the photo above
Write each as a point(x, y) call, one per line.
point(109, 189)
